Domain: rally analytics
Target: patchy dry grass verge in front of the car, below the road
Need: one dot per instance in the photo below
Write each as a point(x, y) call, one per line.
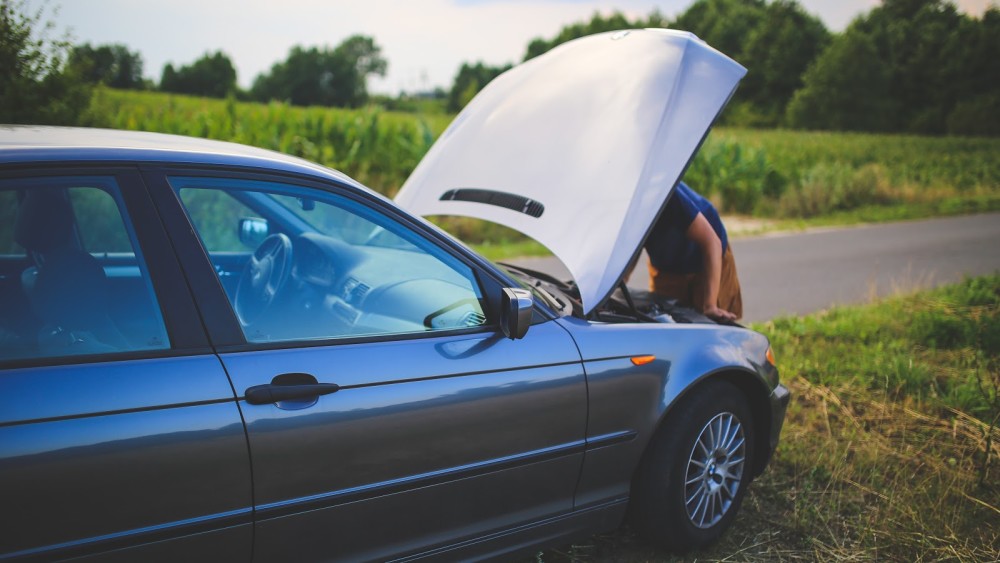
point(890, 449)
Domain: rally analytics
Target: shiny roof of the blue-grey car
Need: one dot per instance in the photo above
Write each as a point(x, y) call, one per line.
point(41, 144)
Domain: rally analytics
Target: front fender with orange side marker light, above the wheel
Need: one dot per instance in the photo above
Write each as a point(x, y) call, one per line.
point(629, 403)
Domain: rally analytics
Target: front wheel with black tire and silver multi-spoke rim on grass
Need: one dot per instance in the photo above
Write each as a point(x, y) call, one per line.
point(690, 483)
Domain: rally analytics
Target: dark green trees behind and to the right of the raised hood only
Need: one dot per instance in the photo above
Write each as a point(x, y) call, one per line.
point(916, 66)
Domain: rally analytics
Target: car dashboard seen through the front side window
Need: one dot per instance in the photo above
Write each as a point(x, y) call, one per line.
point(338, 289)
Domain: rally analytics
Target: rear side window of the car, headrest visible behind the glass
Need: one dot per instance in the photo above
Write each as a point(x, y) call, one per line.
point(72, 281)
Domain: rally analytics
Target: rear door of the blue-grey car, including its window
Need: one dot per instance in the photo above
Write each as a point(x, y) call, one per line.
point(120, 436)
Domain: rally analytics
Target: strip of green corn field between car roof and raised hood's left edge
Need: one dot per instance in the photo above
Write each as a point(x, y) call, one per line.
point(376, 147)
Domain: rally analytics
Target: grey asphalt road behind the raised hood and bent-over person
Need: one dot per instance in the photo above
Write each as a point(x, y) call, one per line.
point(798, 273)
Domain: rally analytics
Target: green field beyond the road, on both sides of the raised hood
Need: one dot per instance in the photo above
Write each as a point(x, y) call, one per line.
point(795, 179)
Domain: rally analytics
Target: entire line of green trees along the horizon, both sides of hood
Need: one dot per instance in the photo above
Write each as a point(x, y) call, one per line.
point(917, 66)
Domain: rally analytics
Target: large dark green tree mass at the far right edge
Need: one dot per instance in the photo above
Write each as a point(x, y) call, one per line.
point(936, 72)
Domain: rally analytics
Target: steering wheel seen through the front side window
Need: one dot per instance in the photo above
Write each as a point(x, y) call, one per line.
point(265, 275)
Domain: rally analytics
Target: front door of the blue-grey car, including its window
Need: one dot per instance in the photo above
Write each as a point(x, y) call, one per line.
point(425, 425)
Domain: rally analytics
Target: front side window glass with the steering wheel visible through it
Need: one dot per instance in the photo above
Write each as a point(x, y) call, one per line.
point(305, 264)
